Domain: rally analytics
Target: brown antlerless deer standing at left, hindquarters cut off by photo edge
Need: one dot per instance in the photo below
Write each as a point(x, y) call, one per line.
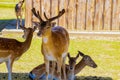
point(12, 49)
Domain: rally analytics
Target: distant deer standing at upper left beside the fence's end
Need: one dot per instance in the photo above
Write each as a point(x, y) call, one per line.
point(18, 12)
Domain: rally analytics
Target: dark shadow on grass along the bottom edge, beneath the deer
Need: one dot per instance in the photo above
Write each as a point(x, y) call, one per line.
point(25, 76)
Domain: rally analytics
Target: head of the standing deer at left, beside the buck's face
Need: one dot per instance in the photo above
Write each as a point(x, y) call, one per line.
point(27, 31)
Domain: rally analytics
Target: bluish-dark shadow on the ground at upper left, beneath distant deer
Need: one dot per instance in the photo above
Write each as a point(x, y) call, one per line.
point(8, 24)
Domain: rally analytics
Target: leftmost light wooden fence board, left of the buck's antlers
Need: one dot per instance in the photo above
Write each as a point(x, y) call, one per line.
point(28, 13)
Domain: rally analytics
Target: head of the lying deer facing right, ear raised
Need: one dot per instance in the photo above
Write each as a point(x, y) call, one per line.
point(88, 60)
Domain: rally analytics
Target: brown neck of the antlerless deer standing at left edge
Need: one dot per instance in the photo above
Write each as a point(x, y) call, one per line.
point(27, 42)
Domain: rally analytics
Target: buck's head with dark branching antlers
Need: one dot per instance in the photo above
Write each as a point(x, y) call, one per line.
point(42, 25)
